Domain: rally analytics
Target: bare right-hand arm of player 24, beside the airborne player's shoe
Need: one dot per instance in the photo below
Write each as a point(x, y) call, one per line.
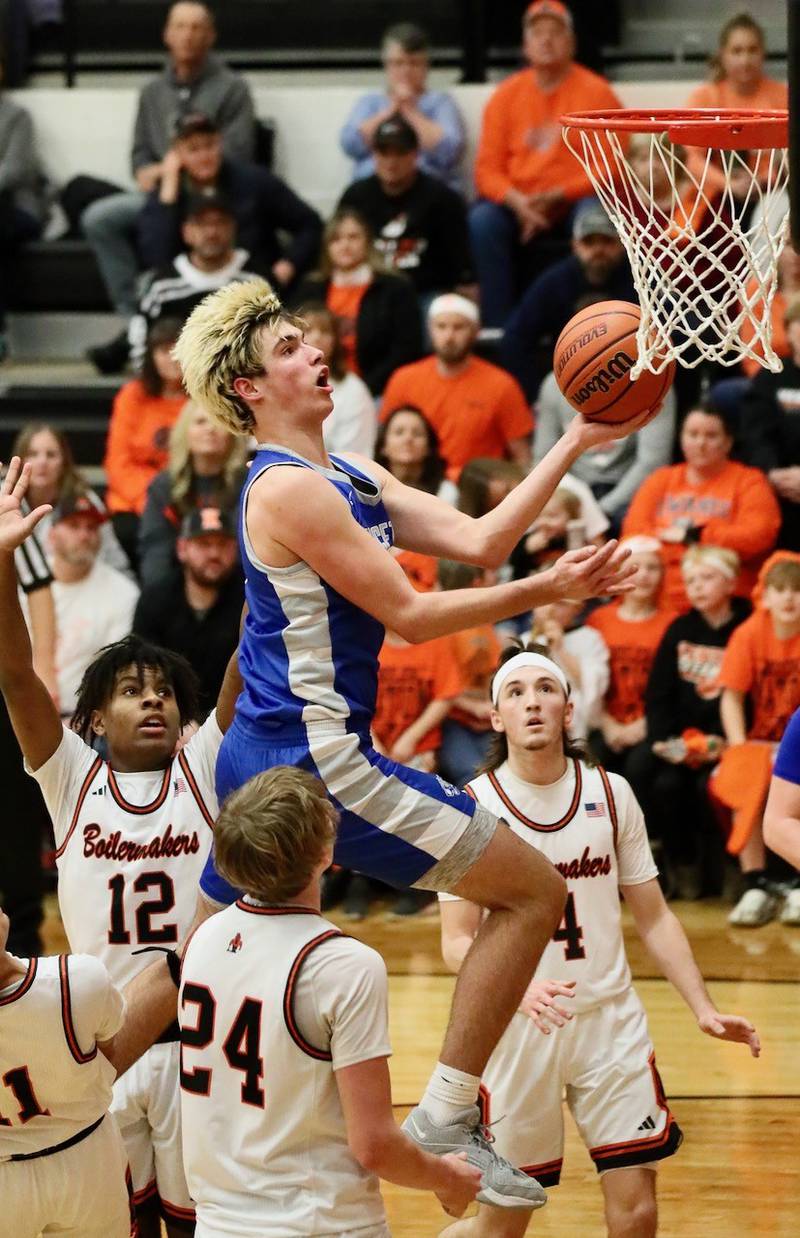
point(381, 1147)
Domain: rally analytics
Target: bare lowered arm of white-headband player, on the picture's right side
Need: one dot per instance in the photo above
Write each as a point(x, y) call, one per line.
point(663, 934)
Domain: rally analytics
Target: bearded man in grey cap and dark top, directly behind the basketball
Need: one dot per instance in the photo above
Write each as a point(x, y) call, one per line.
point(598, 268)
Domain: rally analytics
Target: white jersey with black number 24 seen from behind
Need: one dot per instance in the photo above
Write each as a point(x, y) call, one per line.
point(273, 1002)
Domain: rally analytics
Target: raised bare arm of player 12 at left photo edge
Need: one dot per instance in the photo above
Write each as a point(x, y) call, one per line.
point(34, 716)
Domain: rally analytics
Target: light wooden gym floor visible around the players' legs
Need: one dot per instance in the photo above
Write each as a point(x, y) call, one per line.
point(739, 1172)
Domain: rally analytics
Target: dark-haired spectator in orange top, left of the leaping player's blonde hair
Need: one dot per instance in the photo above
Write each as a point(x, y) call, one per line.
point(137, 449)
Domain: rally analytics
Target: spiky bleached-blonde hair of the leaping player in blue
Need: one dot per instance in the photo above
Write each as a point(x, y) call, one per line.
point(221, 342)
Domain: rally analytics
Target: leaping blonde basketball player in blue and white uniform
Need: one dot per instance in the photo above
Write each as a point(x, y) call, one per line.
point(315, 534)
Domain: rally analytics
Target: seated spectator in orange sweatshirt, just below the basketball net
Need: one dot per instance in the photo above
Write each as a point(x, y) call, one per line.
point(709, 500)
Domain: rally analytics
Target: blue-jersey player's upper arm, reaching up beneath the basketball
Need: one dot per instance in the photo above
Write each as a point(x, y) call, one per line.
point(432, 527)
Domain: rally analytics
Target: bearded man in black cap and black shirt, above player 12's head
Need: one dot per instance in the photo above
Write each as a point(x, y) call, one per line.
point(198, 608)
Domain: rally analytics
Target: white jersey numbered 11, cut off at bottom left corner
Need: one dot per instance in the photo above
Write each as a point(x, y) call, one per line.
point(54, 1080)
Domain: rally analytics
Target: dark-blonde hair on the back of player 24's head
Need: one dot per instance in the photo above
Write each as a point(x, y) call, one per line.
point(273, 833)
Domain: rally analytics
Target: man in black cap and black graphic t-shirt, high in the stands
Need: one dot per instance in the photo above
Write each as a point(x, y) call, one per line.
point(419, 223)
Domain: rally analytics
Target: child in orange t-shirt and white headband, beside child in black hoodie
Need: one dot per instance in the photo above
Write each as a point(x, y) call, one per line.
point(632, 628)
